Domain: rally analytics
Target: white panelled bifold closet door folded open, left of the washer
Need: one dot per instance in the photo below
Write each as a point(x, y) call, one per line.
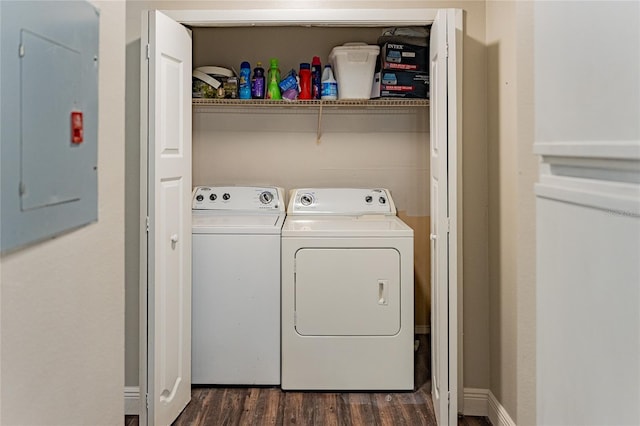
point(166, 123)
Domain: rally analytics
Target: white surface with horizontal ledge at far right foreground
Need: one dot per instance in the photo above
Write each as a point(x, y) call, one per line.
point(587, 90)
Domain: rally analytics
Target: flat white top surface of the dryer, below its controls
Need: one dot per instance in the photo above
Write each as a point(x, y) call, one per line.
point(345, 226)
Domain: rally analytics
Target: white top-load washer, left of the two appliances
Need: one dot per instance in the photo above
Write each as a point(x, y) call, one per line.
point(236, 285)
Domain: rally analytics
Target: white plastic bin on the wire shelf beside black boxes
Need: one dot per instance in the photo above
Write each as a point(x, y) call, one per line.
point(353, 65)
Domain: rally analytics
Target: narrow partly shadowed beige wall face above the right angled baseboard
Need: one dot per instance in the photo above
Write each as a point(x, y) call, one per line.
point(503, 242)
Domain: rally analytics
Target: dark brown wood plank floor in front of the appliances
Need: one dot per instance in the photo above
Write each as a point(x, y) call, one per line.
point(257, 406)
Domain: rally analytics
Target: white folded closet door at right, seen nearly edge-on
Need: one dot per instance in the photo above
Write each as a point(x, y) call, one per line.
point(446, 246)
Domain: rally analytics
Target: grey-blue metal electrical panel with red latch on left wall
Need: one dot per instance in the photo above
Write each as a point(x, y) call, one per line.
point(49, 115)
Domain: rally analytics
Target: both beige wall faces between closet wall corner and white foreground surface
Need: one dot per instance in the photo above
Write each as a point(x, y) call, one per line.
point(512, 174)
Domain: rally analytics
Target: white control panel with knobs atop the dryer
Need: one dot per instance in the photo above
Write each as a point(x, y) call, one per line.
point(341, 201)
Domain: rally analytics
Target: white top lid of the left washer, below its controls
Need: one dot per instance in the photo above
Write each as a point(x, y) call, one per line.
point(236, 224)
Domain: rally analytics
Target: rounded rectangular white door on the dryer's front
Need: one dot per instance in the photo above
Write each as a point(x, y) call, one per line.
point(347, 291)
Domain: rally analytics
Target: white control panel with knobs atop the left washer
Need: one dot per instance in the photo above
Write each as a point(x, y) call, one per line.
point(244, 198)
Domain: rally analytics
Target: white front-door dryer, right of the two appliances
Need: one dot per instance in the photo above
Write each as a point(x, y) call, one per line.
point(347, 292)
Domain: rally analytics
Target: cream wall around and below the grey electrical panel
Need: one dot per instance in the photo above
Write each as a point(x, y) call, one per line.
point(62, 301)
